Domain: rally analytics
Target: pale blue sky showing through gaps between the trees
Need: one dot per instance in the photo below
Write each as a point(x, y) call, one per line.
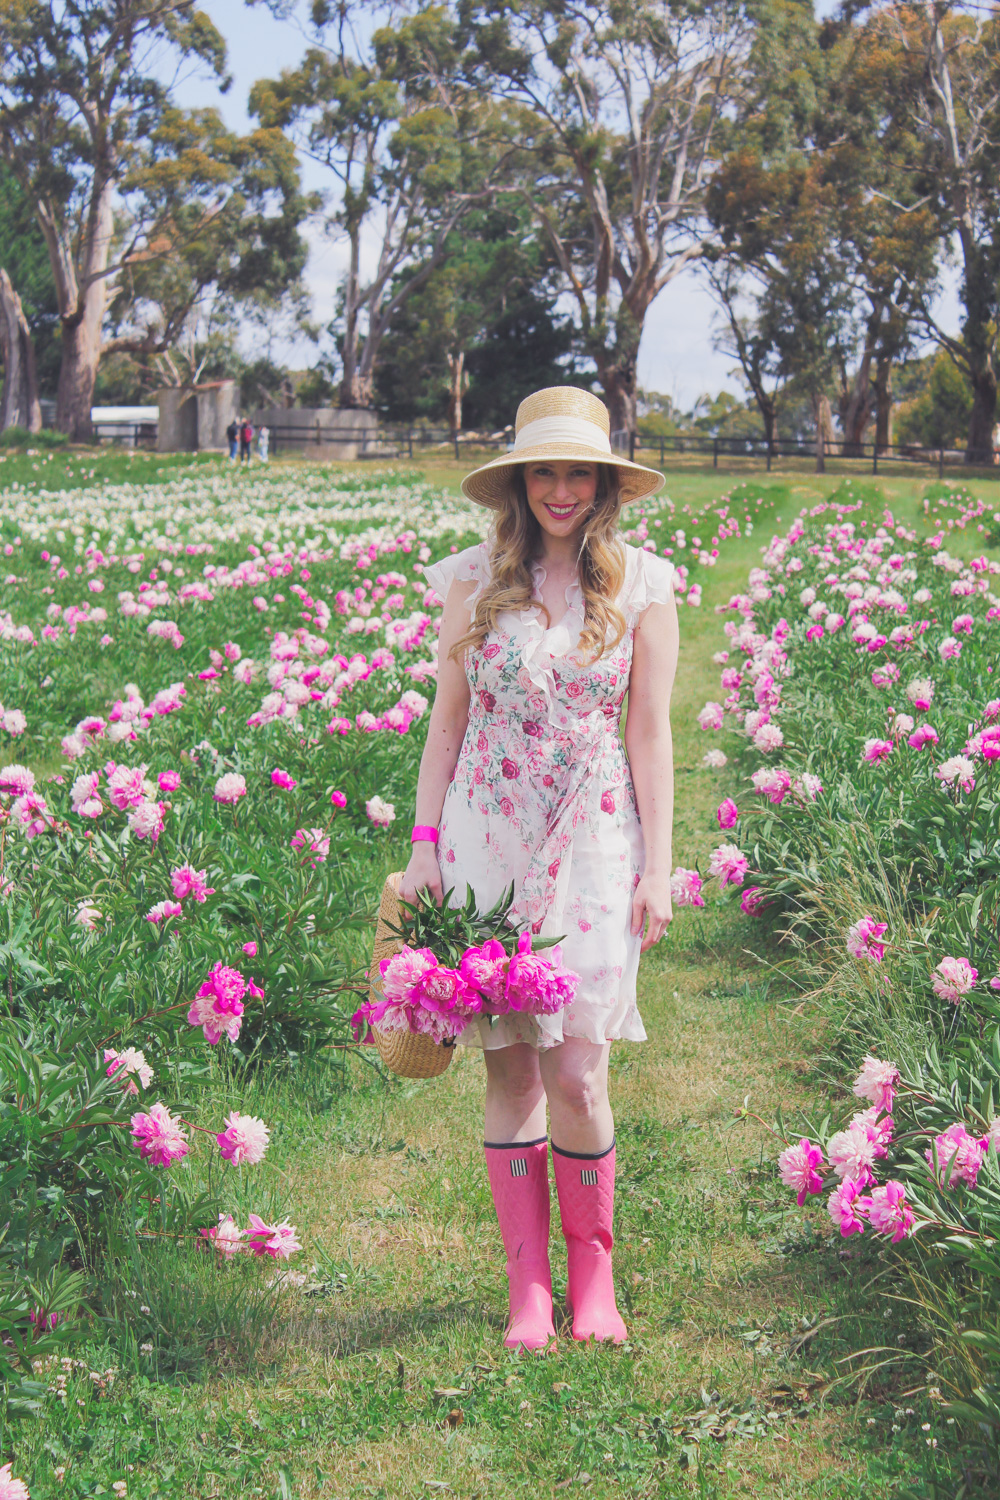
point(677, 355)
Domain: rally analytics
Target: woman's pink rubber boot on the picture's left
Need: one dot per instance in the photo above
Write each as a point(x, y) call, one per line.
point(519, 1181)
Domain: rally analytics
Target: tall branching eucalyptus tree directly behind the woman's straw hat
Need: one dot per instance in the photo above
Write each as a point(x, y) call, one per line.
point(624, 106)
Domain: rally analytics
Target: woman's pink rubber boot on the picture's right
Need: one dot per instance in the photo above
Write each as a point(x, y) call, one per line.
point(587, 1204)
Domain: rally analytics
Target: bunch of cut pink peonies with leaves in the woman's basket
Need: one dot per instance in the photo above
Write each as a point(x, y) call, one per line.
point(458, 964)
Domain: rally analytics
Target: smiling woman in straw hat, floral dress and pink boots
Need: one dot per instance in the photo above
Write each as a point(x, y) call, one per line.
point(524, 779)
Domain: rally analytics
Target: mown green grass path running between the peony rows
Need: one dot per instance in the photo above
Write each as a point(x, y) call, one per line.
point(385, 1376)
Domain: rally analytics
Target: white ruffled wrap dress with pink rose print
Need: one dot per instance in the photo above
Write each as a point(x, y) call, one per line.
point(542, 797)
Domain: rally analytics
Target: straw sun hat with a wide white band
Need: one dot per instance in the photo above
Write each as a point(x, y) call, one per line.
point(560, 422)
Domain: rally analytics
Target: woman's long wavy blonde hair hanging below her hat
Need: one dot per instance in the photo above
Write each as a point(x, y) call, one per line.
point(515, 544)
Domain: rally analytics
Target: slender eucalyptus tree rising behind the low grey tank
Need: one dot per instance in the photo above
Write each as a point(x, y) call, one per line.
point(395, 127)
